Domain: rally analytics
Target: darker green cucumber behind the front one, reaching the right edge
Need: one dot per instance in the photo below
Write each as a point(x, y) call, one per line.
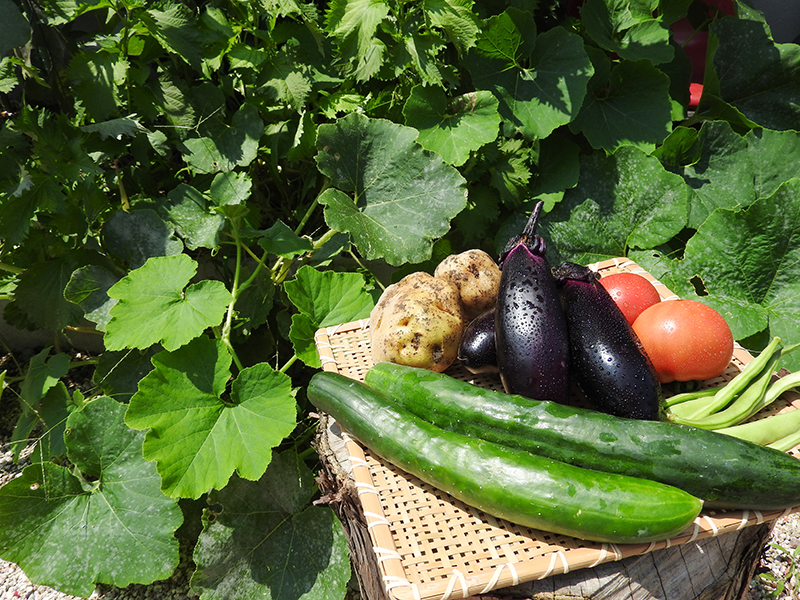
point(723, 471)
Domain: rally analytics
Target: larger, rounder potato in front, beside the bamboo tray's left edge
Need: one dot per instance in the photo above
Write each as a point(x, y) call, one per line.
point(417, 322)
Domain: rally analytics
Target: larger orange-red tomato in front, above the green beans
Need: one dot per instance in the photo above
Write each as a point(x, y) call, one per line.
point(685, 340)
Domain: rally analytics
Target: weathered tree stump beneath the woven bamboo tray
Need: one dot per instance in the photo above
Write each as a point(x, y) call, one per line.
point(713, 568)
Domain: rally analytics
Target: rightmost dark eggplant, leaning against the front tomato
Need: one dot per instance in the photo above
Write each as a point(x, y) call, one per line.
point(608, 361)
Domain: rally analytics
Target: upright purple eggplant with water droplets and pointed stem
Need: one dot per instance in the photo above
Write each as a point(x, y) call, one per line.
point(531, 336)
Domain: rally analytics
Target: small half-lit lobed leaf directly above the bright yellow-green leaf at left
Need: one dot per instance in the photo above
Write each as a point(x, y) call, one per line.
point(189, 210)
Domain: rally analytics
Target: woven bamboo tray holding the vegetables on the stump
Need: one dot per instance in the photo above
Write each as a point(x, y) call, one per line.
point(430, 546)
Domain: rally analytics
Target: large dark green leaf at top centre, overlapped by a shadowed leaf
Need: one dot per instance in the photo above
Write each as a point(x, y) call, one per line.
point(539, 88)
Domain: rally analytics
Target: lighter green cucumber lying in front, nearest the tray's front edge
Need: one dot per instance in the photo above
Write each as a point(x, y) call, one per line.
point(517, 486)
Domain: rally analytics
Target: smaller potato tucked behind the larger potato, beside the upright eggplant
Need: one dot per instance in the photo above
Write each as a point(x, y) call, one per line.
point(477, 276)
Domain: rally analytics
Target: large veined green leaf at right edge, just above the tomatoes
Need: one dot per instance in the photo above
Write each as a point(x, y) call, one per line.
point(751, 277)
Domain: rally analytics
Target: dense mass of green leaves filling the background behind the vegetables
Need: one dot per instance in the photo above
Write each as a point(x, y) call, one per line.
point(202, 185)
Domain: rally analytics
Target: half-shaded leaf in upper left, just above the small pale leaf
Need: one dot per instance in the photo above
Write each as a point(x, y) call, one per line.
point(236, 145)
